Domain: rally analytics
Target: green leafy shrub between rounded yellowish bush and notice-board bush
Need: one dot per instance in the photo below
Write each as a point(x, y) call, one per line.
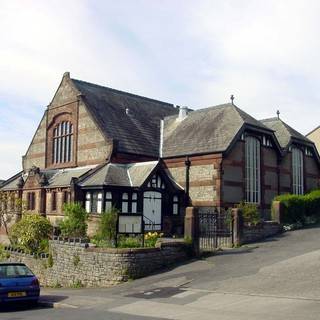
point(74, 223)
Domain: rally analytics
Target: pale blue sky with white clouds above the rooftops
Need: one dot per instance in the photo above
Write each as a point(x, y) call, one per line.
point(190, 53)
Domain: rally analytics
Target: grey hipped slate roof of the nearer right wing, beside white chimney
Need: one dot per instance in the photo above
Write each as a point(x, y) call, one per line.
point(205, 130)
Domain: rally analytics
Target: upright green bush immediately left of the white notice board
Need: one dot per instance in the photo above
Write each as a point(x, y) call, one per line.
point(107, 228)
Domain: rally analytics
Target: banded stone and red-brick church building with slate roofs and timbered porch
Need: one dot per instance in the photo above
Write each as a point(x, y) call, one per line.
point(104, 147)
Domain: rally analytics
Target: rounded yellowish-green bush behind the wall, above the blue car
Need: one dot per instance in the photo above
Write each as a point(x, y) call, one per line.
point(31, 233)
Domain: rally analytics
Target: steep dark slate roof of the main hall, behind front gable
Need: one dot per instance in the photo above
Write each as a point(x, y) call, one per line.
point(137, 132)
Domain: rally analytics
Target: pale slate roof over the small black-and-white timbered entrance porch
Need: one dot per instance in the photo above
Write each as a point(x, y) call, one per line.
point(122, 175)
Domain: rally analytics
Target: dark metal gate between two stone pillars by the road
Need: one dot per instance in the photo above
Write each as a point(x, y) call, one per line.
point(214, 231)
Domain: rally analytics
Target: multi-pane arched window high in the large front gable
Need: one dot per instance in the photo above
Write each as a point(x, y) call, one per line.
point(62, 142)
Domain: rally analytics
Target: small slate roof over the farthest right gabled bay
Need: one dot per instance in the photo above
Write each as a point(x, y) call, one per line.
point(284, 132)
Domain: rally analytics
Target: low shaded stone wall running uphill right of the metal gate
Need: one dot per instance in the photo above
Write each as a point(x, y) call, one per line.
point(259, 232)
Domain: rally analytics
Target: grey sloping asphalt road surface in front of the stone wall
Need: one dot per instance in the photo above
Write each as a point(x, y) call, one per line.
point(273, 279)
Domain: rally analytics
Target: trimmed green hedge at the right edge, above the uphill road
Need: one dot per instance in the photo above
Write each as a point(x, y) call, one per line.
point(297, 207)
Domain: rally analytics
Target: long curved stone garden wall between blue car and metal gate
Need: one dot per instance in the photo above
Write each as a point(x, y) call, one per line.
point(76, 264)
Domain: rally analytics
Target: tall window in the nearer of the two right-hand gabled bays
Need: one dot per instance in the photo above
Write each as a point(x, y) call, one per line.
point(252, 175)
